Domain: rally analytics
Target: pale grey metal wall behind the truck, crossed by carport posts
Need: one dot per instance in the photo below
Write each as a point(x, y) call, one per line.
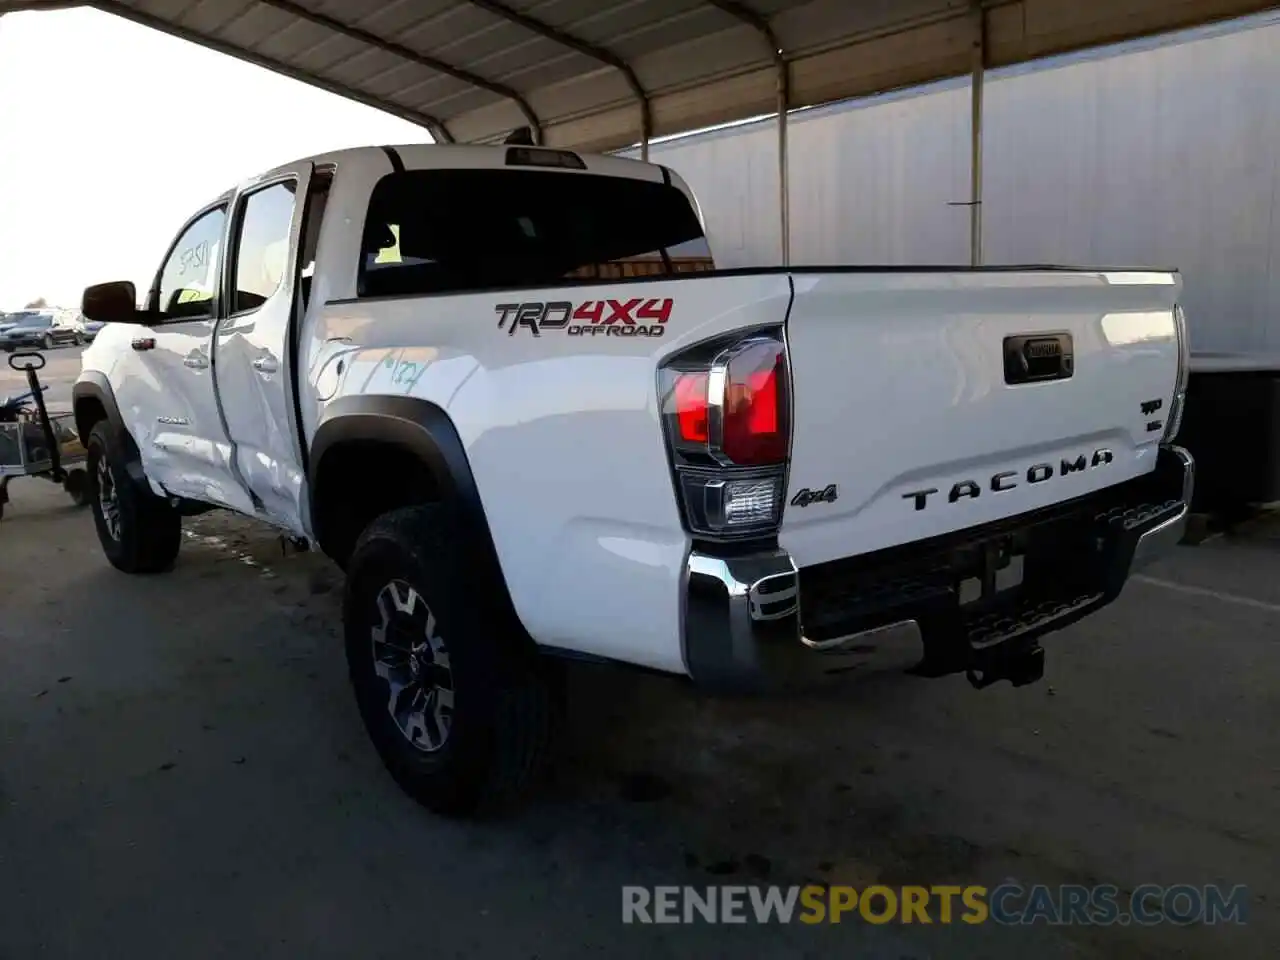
point(1163, 153)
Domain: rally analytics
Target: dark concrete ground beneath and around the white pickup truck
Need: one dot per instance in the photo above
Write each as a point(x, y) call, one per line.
point(184, 775)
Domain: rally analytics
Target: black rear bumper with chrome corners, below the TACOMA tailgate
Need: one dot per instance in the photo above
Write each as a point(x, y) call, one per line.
point(744, 627)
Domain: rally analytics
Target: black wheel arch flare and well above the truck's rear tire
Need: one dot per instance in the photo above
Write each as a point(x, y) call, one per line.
point(410, 435)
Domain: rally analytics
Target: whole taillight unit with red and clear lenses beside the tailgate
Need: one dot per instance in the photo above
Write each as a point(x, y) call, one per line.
point(728, 422)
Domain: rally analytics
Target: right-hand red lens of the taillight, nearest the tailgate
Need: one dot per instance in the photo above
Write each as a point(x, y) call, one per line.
point(756, 417)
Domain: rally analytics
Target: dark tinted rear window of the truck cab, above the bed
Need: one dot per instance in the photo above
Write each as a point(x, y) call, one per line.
point(455, 231)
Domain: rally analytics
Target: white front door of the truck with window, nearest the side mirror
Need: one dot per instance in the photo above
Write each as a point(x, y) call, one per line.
point(166, 382)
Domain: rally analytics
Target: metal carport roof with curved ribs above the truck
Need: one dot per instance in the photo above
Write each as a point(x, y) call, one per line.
point(602, 75)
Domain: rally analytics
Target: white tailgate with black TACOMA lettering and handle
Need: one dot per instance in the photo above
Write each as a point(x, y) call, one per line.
point(934, 401)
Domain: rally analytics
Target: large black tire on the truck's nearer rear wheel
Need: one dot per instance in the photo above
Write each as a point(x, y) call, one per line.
point(500, 725)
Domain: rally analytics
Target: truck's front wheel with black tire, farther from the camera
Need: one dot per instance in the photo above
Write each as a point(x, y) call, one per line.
point(147, 531)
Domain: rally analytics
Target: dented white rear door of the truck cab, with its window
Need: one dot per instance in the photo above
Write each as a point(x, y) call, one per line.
point(253, 350)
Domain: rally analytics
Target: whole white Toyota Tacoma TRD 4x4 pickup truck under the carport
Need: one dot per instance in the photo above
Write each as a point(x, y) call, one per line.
point(506, 390)
